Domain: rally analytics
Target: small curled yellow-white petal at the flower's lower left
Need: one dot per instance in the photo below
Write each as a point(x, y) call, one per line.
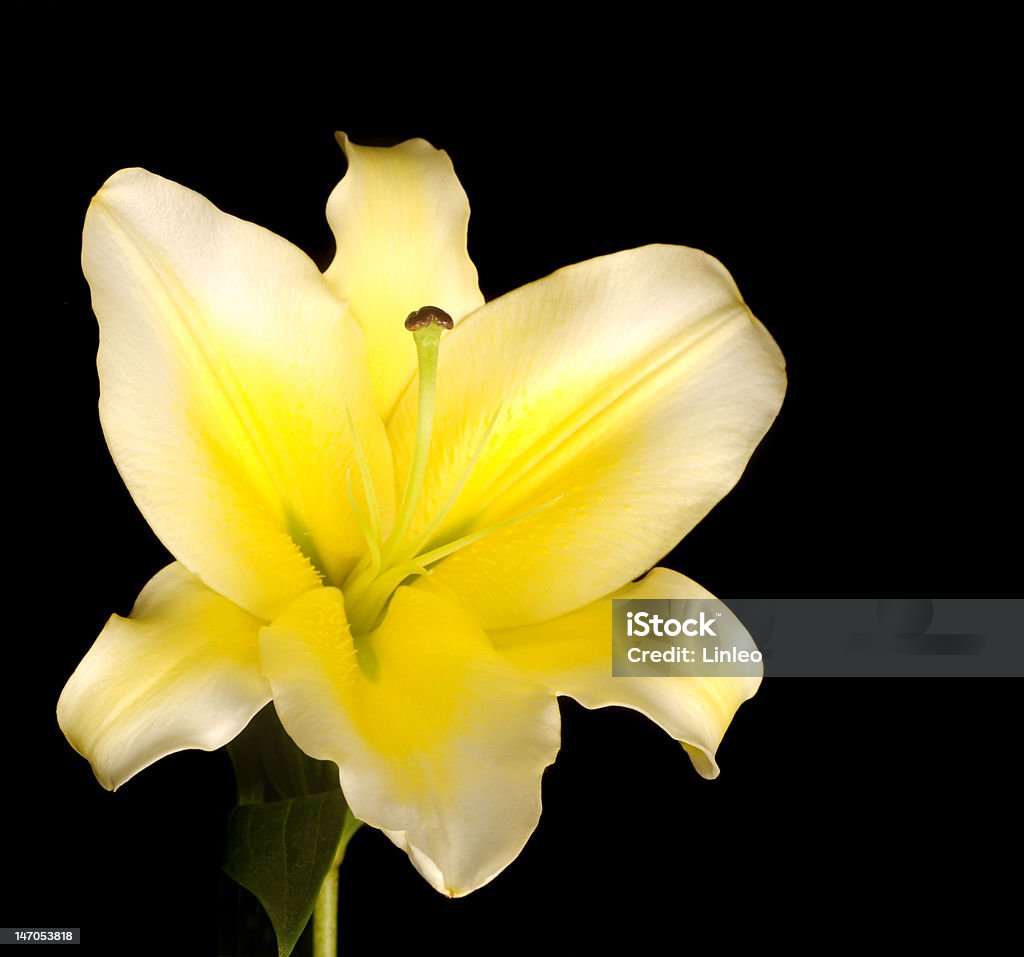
point(182, 672)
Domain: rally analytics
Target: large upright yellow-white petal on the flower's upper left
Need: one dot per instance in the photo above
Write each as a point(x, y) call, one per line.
point(228, 375)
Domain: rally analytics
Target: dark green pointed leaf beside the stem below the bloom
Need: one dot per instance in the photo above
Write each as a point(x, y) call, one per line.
point(283, 851)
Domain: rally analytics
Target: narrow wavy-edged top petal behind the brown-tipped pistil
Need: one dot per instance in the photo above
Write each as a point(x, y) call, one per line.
point(400, 217)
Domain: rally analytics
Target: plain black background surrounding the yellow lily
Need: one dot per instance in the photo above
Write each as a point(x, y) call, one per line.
point(860, 208)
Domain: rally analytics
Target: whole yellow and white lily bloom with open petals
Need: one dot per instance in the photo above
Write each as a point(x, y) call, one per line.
point(410, 567)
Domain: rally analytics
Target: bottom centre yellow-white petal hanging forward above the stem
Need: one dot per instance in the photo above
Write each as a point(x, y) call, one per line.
point(441, 743)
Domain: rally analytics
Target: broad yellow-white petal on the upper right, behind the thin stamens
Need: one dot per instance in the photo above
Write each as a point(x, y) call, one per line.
point(627, 396)
